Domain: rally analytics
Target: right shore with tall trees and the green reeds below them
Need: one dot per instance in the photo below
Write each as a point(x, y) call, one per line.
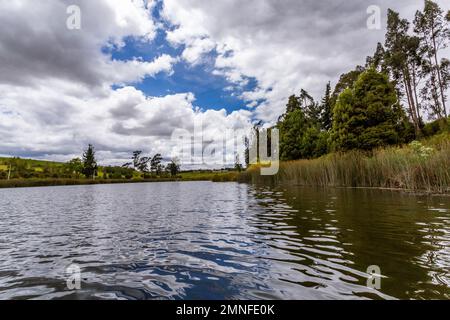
point(384, 125)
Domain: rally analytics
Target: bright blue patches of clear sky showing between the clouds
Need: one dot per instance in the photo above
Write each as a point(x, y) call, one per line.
point(211, 91)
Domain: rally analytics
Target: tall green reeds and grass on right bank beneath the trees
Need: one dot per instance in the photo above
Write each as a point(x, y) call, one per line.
point(421, 165)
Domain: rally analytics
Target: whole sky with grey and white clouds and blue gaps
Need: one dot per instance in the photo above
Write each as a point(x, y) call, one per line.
point(138, 70)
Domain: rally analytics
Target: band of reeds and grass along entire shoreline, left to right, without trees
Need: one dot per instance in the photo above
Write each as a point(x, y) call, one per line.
point(421, 166)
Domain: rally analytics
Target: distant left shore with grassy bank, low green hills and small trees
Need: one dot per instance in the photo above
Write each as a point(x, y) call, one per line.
point(16, 172)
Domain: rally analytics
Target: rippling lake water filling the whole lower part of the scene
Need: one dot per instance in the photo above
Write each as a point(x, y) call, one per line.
point(204, 240)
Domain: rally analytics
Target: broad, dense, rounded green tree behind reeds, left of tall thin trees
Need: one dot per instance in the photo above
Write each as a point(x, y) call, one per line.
point(367, 116)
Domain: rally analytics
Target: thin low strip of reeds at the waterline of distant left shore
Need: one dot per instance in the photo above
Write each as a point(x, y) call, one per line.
point(188, 176)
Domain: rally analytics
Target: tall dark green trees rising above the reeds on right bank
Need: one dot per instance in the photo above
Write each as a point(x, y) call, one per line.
point(382, 103)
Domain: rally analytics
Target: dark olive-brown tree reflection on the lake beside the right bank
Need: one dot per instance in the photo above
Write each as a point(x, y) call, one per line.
point(341, 232)
